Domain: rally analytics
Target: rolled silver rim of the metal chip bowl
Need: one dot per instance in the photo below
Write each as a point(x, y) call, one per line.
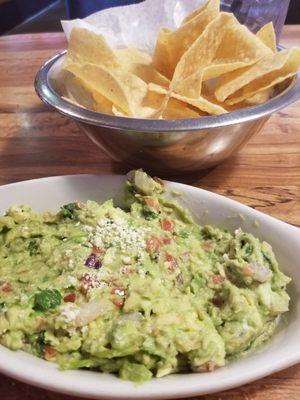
point(49, 96)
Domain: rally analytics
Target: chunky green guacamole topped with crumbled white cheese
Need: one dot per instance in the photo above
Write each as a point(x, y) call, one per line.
point(140, 291)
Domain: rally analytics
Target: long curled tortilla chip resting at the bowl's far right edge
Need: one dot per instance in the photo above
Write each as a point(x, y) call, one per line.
point(271, 70)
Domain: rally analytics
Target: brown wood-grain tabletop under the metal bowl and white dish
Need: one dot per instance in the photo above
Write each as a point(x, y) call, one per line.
point(36, 141)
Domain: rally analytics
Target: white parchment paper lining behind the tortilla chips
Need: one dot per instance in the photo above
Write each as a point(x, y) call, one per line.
point(135, 25)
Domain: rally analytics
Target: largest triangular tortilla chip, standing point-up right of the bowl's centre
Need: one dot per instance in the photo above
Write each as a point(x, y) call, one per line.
point(216, 54)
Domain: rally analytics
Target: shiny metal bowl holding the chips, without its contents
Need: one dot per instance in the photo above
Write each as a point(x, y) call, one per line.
point(165, 147)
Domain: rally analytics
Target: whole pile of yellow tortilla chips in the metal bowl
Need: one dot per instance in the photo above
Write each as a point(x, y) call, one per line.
point(210, 65)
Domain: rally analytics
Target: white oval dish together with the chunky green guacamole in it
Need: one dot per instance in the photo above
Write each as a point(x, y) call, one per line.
point(166, 291)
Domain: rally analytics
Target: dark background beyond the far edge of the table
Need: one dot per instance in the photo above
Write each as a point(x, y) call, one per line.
point(28, 16)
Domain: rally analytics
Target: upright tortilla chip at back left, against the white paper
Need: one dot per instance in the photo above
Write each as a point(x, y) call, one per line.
point(87, 47)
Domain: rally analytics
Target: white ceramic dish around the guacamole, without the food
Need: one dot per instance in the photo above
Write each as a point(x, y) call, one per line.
point(282, 351)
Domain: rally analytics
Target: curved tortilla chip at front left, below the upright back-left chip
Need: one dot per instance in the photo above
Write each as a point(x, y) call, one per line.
point(123, 89)
